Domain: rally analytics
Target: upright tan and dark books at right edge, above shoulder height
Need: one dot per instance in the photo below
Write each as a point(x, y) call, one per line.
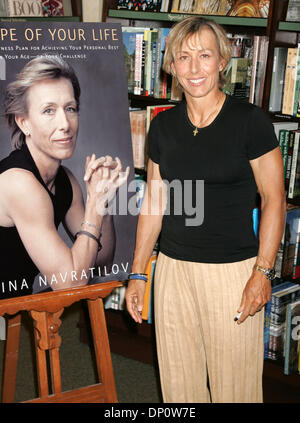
point(285, 83)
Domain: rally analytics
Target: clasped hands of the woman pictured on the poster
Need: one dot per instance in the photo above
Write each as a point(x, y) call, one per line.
point(103, 177)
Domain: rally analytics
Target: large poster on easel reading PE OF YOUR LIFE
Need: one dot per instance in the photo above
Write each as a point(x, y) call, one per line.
point(96, 115)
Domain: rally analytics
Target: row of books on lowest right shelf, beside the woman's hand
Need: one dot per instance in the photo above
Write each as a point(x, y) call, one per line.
point(282, 326)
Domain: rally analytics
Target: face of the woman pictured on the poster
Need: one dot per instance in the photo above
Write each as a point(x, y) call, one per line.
point(51, 124)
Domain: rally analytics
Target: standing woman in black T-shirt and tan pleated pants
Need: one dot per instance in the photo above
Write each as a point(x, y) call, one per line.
point(209, 272)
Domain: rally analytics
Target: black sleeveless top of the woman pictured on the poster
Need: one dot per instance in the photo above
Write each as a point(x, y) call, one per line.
point(17, 270)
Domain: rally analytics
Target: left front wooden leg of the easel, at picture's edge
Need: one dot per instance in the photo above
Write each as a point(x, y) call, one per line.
point(11, 357)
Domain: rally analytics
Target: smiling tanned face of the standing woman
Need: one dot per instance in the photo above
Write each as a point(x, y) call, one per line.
point(197, 64)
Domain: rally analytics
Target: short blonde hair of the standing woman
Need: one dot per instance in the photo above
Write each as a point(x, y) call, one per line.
point(188, 27)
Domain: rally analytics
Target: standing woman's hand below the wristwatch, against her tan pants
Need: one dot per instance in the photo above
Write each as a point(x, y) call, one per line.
point(256, 294)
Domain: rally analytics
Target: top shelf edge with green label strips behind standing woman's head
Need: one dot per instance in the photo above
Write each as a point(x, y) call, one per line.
point(174, 17)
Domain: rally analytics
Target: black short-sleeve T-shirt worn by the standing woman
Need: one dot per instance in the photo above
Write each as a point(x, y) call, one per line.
point(214, 222)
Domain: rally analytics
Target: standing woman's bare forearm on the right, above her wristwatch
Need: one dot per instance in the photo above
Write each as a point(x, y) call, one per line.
point(271, 229)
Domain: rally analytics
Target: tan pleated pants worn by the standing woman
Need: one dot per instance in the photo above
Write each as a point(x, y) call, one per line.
point(198, 340)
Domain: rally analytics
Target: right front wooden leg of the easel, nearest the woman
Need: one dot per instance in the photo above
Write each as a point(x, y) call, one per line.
point(102, 349)
